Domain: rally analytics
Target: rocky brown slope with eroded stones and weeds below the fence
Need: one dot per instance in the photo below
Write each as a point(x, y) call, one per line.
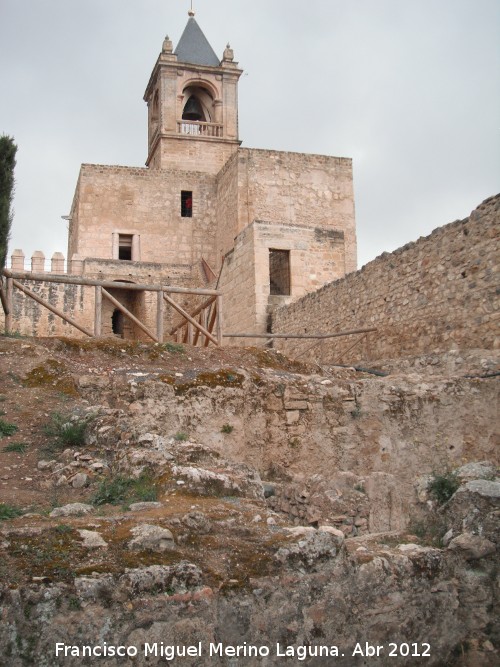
point(169, 494)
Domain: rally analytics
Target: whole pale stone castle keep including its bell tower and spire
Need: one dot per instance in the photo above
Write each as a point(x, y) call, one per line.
point(265, 226)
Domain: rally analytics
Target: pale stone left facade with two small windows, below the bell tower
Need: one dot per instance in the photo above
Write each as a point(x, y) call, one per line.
point(146, 203)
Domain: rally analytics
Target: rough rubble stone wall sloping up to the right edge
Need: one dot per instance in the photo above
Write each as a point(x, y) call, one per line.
point(437, 293)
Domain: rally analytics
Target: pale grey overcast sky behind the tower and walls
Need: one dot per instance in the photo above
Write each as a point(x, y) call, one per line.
point(410, 89)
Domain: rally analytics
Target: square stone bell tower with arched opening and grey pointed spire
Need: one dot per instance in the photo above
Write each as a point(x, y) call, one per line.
point(192, 99)
